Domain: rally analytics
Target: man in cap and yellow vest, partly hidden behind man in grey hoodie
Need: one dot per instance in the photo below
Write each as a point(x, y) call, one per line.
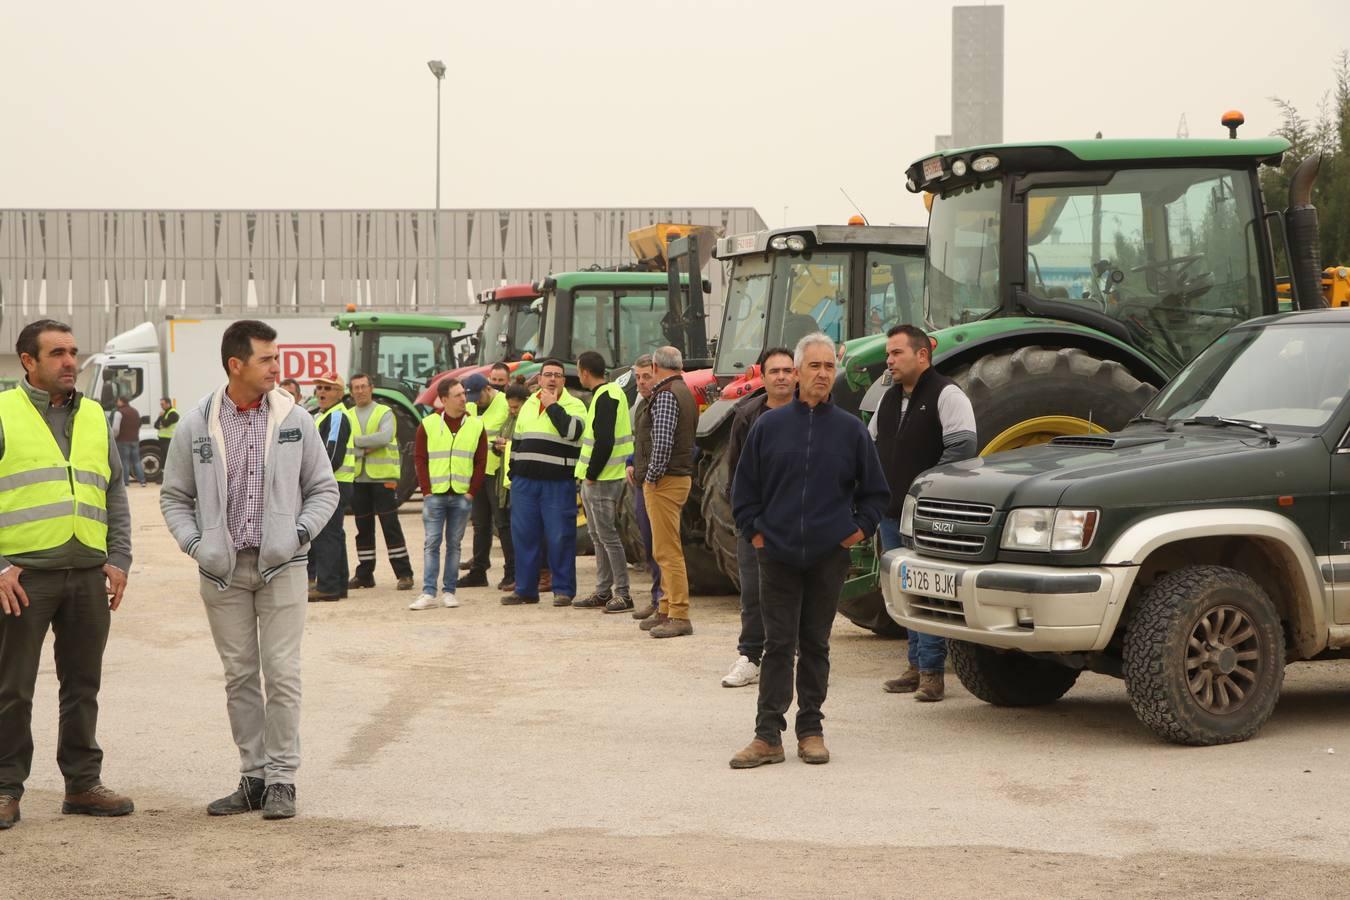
point(329, 553)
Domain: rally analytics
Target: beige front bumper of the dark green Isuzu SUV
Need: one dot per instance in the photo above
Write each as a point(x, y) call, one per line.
point(1021, 608)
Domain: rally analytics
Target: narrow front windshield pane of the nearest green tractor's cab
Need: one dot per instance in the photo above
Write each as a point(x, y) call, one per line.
point(962, 273)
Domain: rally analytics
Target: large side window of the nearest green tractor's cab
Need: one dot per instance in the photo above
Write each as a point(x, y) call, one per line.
point(1170, 253)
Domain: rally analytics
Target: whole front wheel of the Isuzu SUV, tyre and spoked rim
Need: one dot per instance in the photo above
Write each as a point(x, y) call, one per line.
point(1205, 656)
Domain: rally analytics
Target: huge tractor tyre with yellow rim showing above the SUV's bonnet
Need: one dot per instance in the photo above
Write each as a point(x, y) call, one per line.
point(1031, 395)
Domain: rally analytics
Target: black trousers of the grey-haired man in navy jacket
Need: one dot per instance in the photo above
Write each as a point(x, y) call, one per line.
point(800, 607)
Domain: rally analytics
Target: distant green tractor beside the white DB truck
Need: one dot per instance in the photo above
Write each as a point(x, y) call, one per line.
point(400, 351)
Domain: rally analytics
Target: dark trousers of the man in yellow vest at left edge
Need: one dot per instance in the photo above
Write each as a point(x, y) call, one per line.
point(75, 604)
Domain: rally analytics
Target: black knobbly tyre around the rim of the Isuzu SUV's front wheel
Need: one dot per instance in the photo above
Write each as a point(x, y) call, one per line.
point(1156, 644)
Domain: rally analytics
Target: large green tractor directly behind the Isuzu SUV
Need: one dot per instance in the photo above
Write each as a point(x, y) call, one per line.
point(1066, 283)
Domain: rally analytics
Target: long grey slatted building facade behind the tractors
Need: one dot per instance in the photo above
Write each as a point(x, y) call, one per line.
point(109, 271)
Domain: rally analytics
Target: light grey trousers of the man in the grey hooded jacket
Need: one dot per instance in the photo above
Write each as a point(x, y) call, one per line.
point(257, 628)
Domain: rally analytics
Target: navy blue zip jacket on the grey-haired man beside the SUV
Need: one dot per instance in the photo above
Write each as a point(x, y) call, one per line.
point(807, 480)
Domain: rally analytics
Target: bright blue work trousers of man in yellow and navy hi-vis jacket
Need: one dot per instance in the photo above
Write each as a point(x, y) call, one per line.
point(543, 517)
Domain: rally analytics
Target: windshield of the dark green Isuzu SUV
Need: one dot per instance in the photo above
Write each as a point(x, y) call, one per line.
point(1291, 377)
